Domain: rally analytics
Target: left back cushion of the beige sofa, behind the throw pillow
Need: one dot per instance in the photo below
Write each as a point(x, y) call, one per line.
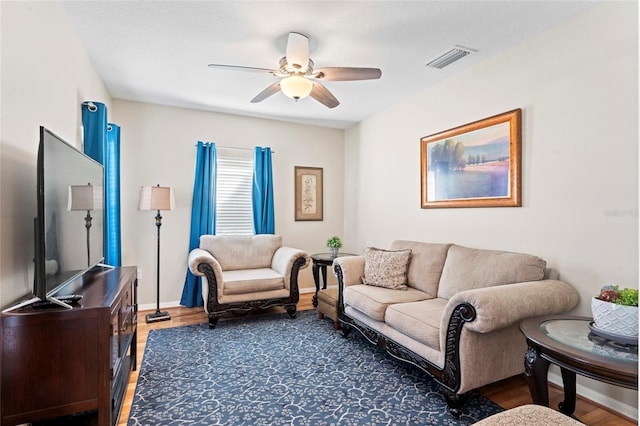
point(427, 261)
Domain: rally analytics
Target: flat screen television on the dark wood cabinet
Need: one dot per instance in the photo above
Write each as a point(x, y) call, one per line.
point(69, 227)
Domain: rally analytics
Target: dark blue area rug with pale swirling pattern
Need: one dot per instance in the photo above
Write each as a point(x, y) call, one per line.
point(273, 370)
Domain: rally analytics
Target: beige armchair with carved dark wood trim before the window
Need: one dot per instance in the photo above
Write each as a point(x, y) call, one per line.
point(241, 273)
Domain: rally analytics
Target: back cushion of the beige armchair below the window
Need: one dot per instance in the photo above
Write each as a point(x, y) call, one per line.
point(241, 251)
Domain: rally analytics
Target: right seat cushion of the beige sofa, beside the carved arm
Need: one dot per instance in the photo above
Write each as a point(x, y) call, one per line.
point(418, 320)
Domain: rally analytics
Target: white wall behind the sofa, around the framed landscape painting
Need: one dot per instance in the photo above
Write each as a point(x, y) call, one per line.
point(577, 85)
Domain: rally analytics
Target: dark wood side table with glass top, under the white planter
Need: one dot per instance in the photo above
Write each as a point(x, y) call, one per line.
point(567, 342)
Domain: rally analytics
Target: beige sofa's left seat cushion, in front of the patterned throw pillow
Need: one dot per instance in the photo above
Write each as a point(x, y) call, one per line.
point(373, 301)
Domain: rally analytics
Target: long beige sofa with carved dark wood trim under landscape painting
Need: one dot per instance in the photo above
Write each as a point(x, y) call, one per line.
point(458, 317)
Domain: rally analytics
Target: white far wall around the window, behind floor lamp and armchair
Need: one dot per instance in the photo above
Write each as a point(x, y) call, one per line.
point(158, 147)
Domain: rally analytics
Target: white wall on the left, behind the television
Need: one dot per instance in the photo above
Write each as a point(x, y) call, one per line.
point(45, 76)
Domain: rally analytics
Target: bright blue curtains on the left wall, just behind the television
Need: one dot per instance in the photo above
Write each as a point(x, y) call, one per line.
point(103, 145)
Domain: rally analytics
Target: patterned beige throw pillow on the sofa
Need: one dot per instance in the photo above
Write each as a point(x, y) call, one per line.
point(386, 268)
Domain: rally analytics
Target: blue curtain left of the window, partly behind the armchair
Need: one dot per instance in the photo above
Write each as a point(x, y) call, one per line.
point(203, 216)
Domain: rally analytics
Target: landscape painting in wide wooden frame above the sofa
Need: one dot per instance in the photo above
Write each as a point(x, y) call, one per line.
point(474, 165)
